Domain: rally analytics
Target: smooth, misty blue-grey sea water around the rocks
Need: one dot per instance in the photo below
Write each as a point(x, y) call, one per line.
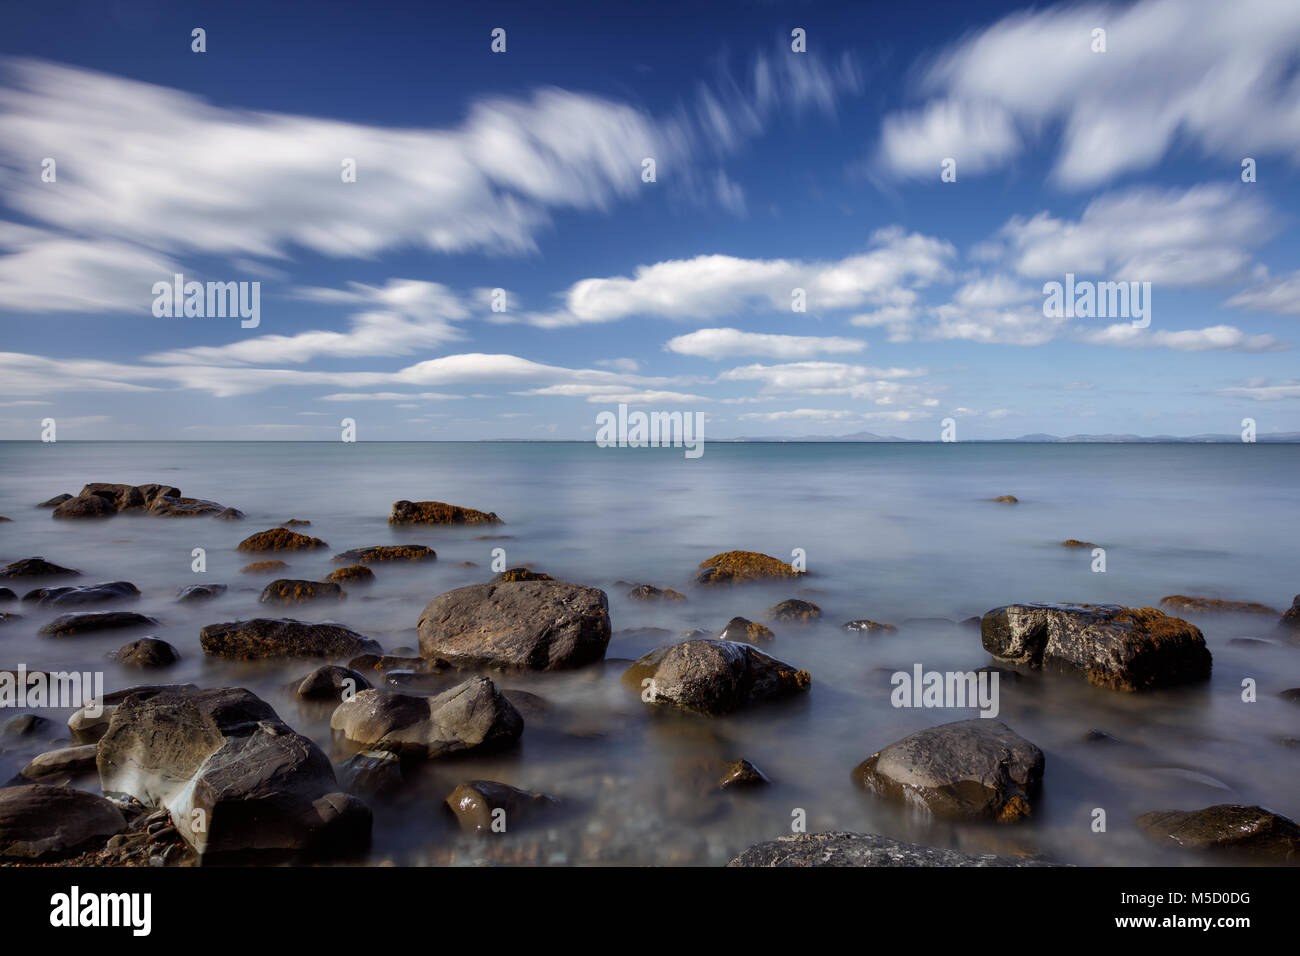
point(891, 533)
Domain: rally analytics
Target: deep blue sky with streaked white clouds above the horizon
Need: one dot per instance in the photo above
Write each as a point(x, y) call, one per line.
point(631, 202)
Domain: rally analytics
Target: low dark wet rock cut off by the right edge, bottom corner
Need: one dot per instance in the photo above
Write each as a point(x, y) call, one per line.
point(1251, 832)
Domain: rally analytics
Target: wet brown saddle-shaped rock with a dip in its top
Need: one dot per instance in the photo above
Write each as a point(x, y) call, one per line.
point(474, 716)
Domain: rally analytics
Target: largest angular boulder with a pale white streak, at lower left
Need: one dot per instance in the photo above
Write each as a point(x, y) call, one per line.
point(235, 777)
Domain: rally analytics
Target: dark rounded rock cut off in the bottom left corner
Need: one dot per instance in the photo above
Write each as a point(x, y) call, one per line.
point(38, 821)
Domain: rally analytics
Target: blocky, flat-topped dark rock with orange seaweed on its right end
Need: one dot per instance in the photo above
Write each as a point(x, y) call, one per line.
point(1115, 647)
